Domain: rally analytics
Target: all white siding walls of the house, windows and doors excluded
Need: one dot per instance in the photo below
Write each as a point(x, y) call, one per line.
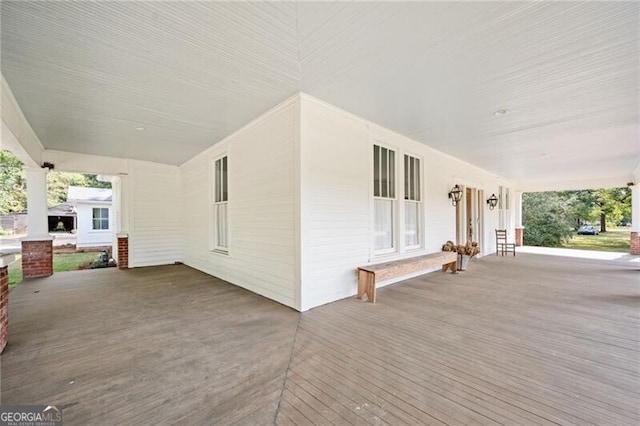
point(300, 204)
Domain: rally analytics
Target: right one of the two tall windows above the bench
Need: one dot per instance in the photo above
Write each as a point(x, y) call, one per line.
point(412, 202)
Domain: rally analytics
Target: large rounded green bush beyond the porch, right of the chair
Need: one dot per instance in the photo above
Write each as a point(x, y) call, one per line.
point(546, 218)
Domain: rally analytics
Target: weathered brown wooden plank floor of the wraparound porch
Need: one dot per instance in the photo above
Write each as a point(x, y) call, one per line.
point(525, 340)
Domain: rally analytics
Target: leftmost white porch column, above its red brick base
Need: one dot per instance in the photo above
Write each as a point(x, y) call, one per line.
point(38, 226)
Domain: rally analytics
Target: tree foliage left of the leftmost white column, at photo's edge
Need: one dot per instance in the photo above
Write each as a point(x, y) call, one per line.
point(13, 187)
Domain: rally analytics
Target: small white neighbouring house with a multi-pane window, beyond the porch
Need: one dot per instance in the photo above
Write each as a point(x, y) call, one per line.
point(94, 216)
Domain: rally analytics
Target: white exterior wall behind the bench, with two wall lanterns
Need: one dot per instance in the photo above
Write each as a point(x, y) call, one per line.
point(336, 180)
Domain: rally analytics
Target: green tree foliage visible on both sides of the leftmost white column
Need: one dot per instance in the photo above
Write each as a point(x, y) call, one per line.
point(13, 184)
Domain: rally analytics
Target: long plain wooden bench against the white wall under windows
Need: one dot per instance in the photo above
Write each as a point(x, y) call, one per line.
point(368, 274)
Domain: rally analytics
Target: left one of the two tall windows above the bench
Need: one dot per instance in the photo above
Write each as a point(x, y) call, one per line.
point(384, 193)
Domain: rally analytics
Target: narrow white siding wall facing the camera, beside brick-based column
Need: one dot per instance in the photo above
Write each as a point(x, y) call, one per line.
point(155, 227)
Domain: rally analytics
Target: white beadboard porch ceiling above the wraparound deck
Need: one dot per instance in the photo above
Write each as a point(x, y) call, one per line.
point(86, 74)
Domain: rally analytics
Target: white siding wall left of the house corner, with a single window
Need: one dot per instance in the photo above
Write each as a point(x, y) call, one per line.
point(262, 160)
